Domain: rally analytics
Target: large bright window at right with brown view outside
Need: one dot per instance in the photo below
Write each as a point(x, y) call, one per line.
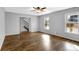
point(72, 23)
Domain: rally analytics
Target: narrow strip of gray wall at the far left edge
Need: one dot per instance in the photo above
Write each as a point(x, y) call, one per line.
point(2, 26)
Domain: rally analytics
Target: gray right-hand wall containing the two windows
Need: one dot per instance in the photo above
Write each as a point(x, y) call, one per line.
point(57, 24)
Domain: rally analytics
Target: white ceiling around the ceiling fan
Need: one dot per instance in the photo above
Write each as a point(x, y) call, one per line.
point(29, 11)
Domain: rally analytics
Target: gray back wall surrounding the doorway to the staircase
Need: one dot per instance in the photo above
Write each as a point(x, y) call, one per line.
point(13, 23)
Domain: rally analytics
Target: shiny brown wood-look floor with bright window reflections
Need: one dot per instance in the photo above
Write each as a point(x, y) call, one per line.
point(38, 42)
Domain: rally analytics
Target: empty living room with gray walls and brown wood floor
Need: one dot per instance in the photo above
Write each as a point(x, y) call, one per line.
point(39, 28)
